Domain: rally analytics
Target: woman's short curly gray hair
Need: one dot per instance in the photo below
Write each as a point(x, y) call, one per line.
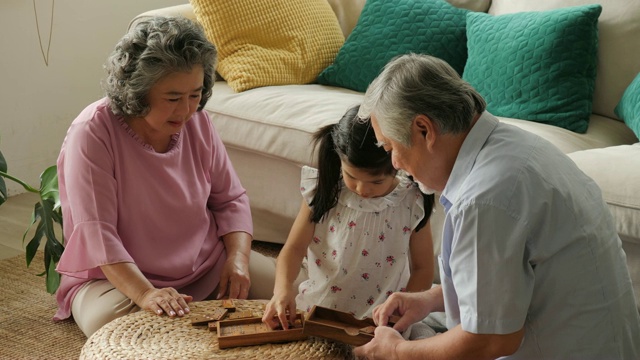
point(151, 50)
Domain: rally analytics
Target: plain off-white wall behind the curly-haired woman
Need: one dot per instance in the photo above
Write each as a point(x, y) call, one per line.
point(38, 102)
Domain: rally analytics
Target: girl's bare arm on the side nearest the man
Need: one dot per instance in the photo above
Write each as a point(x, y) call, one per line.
point(421, 252)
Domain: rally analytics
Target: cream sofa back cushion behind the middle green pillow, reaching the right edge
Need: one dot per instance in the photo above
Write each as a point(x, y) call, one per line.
point(618, 48)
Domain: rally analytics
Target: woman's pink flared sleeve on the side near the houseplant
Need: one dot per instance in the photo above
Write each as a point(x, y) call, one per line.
point(88, 195)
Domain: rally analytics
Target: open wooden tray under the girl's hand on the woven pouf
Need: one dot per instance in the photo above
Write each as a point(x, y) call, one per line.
point(252, 331)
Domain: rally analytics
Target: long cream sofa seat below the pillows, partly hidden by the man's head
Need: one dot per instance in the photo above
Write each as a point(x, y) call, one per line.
point(266, 120)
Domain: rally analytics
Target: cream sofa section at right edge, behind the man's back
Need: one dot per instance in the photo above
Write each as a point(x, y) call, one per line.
point(616, 170)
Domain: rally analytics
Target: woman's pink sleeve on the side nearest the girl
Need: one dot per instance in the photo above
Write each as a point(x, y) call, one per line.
point(228, 200)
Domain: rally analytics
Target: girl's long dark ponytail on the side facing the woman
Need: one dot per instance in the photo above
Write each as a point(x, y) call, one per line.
point(329, 167)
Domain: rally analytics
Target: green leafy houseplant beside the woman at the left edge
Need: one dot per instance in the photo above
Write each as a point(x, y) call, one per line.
point(46, 213)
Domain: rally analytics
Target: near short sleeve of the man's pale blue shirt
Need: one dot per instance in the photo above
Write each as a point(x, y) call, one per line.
point(480, 256)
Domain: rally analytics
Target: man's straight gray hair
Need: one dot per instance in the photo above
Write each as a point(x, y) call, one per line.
point(412, 85)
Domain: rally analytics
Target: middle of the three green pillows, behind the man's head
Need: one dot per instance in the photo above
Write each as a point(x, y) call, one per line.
point(538, 66)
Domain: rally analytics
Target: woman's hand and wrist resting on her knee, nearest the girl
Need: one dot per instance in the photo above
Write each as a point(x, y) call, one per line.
point(234, 279)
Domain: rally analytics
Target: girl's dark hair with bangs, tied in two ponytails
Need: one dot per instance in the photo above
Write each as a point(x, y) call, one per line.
point(353, 140)
